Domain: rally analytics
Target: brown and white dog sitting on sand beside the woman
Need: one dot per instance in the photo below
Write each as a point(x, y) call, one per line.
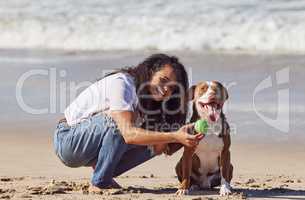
point(208, 165)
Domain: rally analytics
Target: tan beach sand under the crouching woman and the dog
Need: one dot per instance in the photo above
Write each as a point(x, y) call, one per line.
point(30, 170)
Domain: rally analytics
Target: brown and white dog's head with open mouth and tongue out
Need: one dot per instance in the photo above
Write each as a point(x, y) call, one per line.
point(208, 99)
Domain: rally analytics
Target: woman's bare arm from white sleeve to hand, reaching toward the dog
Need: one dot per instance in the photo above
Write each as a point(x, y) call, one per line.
point(139, 136)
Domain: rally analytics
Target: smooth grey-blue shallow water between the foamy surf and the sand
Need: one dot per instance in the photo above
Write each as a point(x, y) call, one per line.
point(265, 116)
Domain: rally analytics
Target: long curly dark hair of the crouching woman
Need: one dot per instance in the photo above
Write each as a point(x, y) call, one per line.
point(143, 73)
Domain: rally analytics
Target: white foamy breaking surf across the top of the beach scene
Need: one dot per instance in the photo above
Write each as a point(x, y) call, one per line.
point(274, 26)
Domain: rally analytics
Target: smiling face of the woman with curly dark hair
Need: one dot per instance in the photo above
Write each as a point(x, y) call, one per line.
point(162, 83)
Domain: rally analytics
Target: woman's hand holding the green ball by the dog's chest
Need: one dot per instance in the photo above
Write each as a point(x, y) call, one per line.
point(183, 135)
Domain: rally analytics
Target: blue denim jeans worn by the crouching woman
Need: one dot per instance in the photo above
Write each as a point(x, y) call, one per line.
point(97, 141)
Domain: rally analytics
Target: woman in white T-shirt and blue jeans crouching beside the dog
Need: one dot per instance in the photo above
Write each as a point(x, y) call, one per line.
point(125, 119)
